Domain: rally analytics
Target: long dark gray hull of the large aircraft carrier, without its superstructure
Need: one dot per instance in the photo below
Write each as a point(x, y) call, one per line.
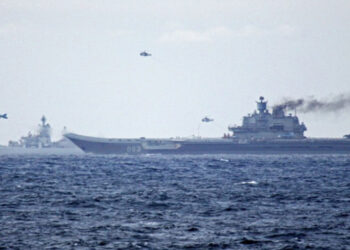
point(209, 146)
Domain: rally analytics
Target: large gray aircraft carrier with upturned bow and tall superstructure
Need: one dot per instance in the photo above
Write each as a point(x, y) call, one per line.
point(261, 132)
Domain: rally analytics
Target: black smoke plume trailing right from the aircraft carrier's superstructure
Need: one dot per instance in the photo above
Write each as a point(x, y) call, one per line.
point(311, 104)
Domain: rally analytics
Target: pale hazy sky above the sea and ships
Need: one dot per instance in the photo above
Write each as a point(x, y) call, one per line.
point(78, 63)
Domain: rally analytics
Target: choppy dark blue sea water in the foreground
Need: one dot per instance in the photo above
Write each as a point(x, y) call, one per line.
point(154, 202)
